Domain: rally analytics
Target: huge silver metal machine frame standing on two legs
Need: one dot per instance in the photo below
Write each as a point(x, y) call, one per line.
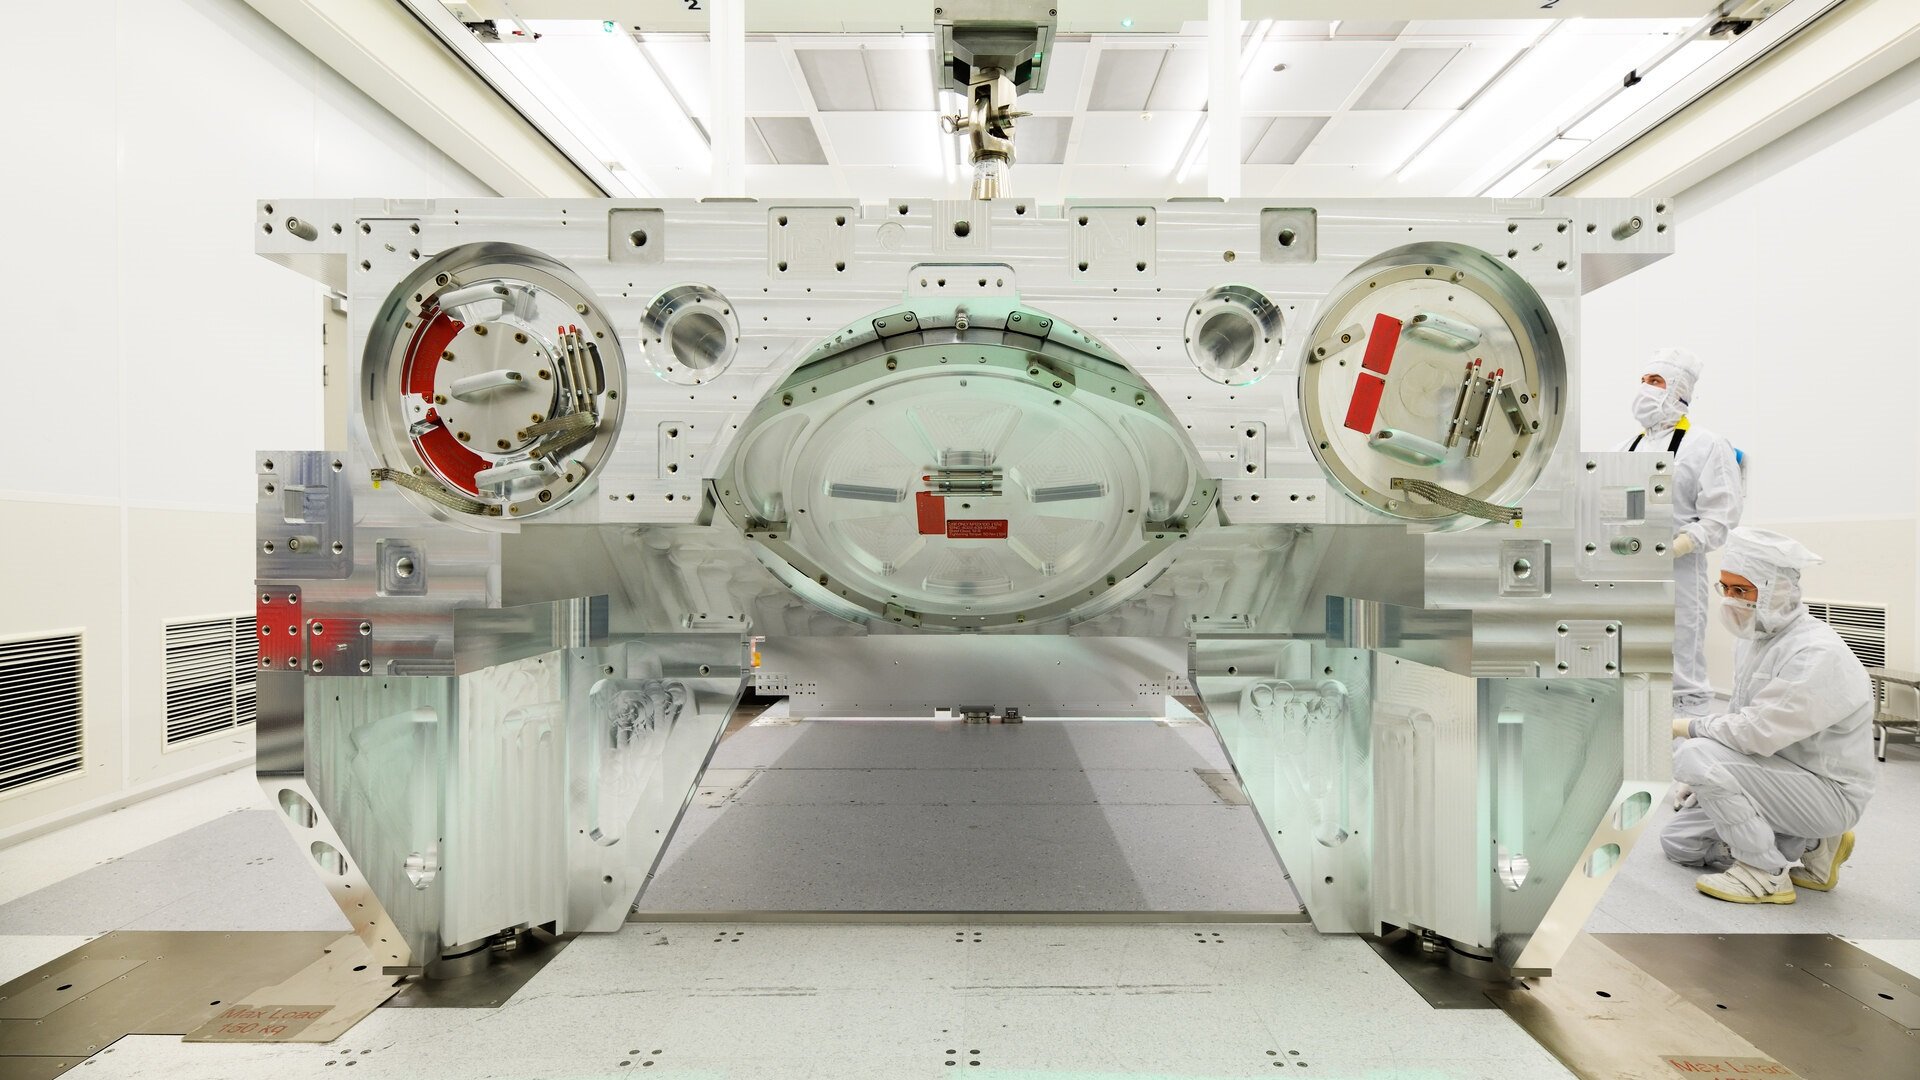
point(489, 695)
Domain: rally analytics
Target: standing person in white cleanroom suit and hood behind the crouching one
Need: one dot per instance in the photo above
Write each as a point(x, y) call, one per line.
point(1708, 503)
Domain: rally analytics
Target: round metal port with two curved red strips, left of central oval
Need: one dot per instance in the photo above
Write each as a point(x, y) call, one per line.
point(494, 383)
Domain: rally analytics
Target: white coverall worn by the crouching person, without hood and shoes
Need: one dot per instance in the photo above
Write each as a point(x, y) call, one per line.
point(1788, 766)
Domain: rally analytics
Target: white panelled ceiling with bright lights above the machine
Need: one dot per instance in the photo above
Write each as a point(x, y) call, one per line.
point(1328, 109)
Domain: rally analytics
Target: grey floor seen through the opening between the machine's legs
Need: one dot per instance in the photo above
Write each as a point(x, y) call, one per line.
point(911, 816)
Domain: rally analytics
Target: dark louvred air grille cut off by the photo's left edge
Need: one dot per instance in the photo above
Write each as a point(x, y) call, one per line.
point(39, 710)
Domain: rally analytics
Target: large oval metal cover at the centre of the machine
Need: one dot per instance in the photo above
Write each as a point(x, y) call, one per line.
point(1003, 472)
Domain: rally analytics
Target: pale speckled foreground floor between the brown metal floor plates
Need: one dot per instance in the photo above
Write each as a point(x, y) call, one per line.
point(901, 1002)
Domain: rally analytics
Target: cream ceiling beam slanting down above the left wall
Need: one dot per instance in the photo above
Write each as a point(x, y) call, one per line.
point(398, 62)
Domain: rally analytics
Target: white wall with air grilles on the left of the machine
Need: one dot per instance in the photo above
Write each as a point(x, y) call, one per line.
point(151, 351)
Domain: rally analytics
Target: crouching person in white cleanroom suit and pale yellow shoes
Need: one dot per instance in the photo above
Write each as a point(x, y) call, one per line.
point(1785, 775)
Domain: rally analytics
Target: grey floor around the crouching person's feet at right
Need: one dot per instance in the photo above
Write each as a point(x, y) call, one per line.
point(1879, 895)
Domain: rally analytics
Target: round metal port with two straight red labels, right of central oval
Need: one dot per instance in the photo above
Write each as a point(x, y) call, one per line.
point(1433, 385)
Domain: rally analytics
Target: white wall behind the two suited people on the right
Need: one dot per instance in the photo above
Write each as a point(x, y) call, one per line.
point(1792, 278)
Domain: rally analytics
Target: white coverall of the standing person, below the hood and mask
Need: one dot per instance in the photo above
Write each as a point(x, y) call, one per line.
point(1708, 504)
